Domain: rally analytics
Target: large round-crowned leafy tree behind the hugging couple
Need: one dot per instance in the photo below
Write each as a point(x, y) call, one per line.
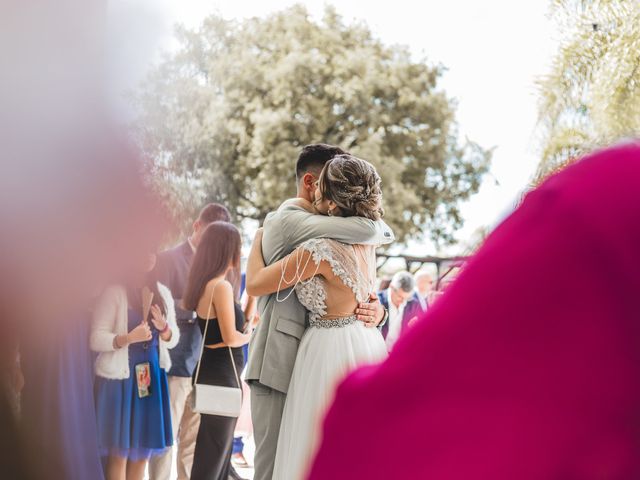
point(227, 114)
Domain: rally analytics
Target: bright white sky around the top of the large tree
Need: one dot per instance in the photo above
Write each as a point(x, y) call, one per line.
point(494, 51)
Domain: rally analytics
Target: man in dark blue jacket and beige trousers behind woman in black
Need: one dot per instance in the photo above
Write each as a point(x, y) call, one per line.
point(172, 269)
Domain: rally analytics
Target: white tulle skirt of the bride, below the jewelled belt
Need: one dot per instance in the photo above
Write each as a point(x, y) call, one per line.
point(325, 357)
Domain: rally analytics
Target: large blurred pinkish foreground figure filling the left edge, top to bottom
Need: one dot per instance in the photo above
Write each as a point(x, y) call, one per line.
point(75, 214)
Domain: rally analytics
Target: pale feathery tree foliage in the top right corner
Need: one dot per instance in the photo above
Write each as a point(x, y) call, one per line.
point(591, 96)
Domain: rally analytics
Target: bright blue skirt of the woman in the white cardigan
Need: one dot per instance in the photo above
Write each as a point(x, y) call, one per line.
point(129, 426)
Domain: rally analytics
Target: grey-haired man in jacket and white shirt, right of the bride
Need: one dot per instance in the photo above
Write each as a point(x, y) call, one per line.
point(394, 299)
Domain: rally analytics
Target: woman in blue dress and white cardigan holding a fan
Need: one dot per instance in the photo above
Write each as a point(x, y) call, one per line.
point(133, 328)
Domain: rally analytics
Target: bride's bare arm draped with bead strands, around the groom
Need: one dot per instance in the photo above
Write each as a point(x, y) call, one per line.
point(295, 267)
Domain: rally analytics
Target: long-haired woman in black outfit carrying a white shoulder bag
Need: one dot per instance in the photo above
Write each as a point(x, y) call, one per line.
point(212, 297)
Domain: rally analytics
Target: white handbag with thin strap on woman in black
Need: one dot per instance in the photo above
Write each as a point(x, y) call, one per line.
point(216, 399)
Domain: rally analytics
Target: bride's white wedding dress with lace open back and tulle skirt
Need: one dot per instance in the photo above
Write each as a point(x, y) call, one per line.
point(334, 344)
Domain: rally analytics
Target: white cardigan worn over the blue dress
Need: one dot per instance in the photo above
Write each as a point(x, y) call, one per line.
point(110, 319)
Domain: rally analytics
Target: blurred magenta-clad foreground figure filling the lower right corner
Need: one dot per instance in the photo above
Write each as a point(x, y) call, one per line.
point(515, 373)
